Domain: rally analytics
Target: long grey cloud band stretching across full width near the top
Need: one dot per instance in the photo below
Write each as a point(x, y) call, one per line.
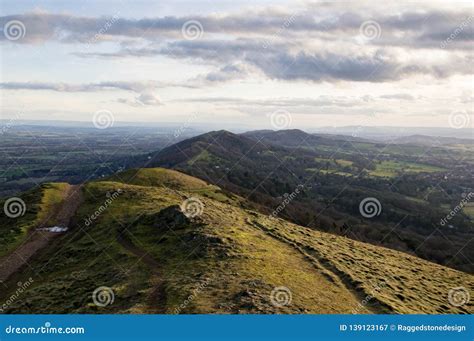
point(420, 27)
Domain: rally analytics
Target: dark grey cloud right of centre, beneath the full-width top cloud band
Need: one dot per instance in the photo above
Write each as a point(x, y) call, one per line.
point(277, 62)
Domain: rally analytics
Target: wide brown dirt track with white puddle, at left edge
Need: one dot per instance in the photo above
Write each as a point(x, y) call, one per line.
point(39, 239)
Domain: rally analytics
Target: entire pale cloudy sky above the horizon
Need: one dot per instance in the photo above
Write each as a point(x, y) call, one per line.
point(265, 64)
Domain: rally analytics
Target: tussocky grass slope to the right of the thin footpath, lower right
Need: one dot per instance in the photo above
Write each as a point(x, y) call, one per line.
point(405, 283)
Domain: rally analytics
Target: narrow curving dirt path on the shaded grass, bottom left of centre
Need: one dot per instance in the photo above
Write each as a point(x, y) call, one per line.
point(157, 299)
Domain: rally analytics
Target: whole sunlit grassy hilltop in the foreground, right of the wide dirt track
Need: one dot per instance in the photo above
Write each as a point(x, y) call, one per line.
point(228, 259)
